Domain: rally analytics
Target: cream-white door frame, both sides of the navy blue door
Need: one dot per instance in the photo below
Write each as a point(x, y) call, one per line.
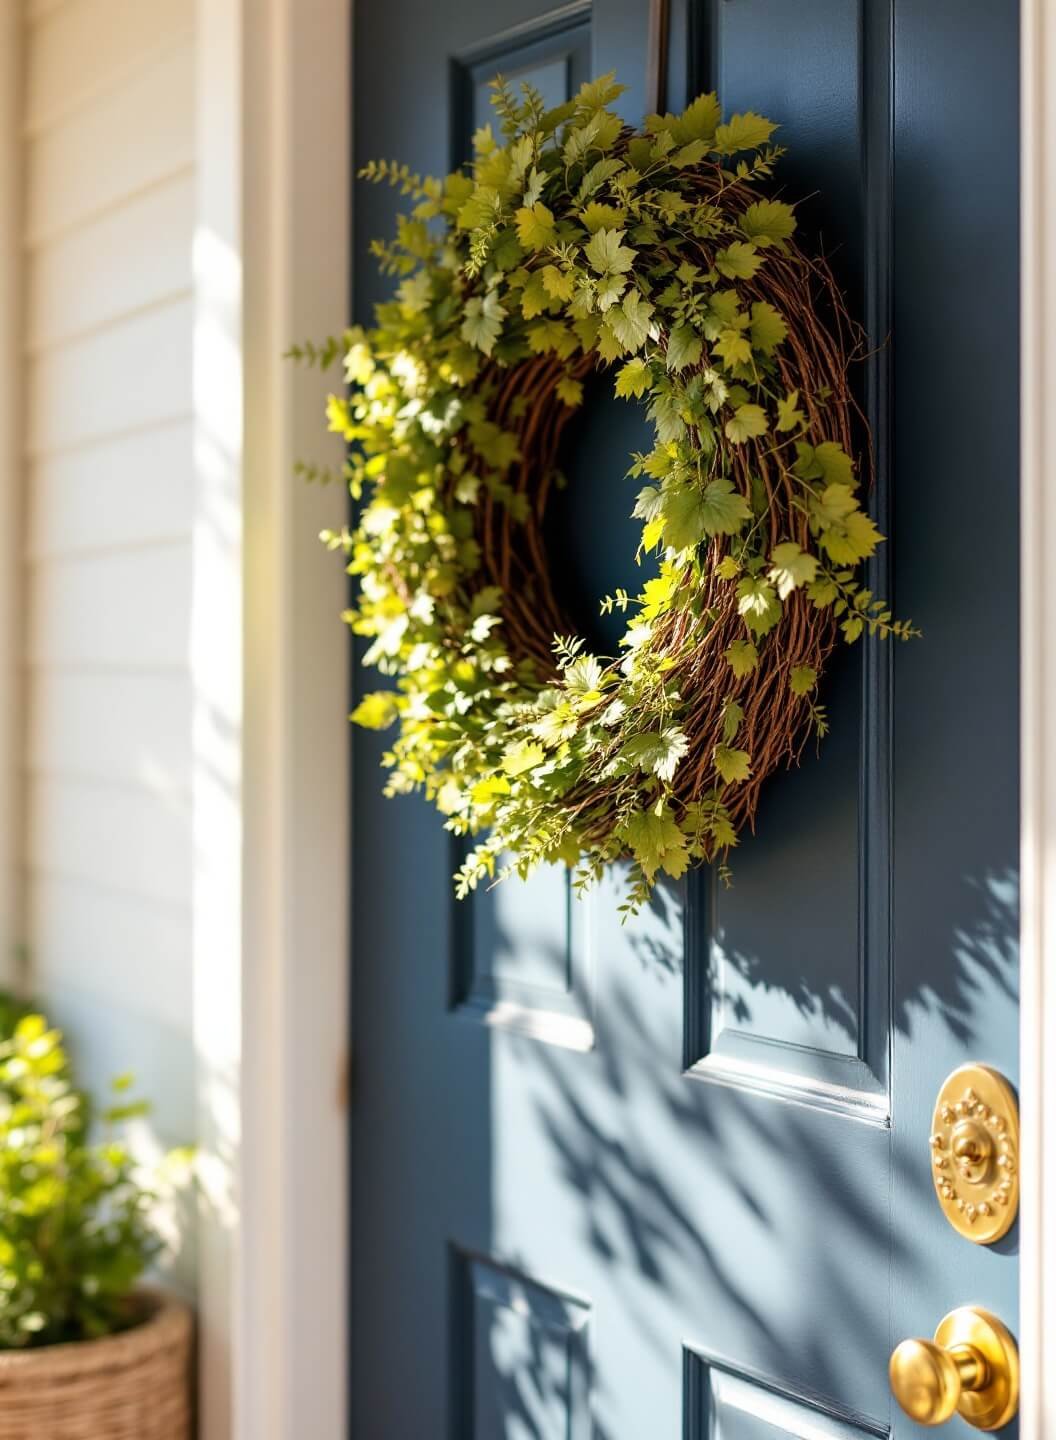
point(272, 89)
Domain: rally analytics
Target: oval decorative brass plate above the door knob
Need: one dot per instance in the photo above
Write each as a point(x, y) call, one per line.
point(976, 1154)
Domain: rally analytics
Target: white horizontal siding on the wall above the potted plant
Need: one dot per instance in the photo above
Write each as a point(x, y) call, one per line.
point(109, 217)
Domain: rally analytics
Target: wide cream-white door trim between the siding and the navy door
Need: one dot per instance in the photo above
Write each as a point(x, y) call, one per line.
point(270, 673)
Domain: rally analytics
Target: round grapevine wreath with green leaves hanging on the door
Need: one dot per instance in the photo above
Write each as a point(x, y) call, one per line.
point(571, 246)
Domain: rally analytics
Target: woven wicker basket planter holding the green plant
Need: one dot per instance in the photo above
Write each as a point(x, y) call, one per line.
point(135, 1386)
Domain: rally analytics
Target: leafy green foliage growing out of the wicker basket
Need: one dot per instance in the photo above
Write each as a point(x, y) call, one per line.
point(76, 1212)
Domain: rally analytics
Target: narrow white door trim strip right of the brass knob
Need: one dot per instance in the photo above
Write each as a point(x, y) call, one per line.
point(1038, 690)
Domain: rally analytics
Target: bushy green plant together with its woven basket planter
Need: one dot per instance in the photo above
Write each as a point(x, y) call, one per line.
point(86, 1351)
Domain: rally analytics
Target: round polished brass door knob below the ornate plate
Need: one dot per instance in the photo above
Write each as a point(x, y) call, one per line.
point(972, 1369)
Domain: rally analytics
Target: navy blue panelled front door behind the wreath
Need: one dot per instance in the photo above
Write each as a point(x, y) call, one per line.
point(674, 1180)
